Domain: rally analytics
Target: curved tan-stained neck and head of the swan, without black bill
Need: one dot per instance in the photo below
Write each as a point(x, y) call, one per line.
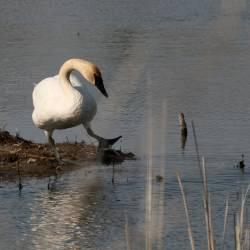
point(82, 66)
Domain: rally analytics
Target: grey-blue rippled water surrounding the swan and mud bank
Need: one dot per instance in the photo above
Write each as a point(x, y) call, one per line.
point(158, 58)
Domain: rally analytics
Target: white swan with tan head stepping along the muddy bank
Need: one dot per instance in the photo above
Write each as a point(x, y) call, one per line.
point(59, 103)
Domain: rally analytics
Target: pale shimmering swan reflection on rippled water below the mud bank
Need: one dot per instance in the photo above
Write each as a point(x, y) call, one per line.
point(63, 214)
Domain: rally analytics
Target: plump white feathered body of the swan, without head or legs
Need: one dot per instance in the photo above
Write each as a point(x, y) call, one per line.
point(53, 109)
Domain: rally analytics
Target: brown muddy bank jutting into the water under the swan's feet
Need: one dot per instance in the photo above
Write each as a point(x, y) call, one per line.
point(21, 156)
